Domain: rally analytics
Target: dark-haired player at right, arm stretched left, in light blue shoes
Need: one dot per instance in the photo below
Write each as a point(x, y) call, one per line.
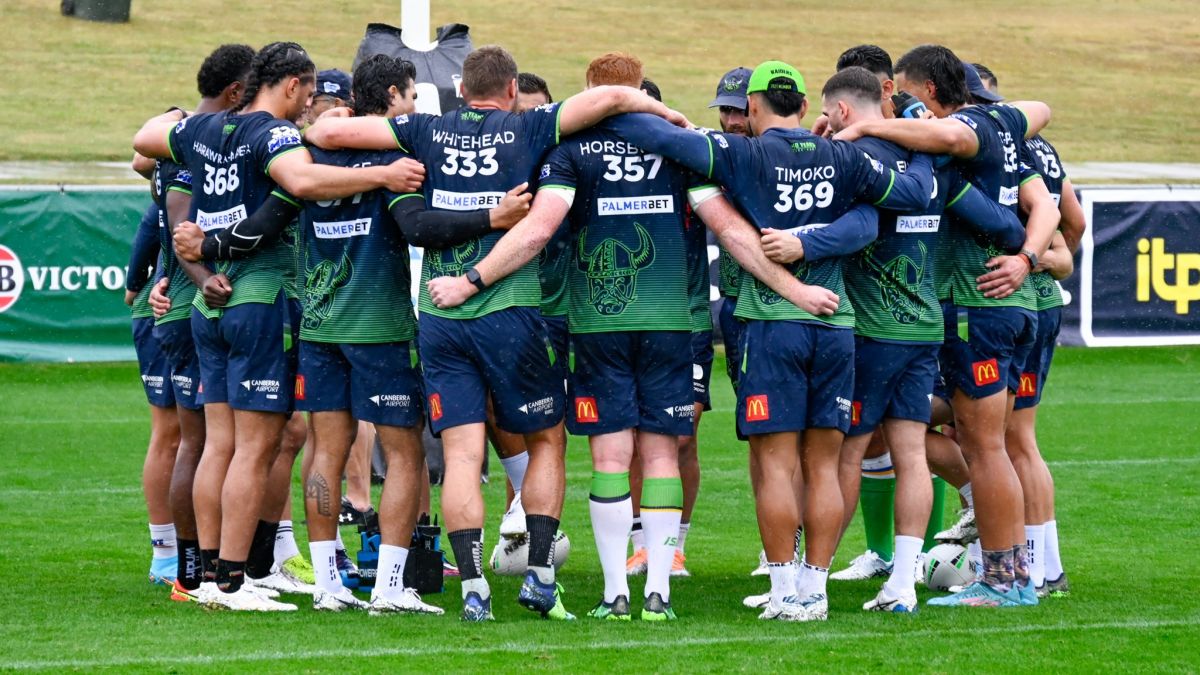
point(991, 296)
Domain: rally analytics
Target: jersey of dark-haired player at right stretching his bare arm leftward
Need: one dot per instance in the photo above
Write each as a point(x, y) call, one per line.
point(995, 171)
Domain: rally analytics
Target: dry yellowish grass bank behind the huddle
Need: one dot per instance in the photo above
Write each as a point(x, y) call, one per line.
point(1117, 73)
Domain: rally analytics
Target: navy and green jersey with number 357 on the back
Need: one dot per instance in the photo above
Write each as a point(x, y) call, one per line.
point(631, 246)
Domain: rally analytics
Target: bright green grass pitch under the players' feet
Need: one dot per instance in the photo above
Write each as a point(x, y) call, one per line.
point(1119, 429)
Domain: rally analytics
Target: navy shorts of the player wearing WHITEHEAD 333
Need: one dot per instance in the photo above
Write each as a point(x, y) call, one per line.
point(507, 353)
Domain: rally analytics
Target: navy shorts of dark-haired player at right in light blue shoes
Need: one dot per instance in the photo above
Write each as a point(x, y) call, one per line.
point(989, 351)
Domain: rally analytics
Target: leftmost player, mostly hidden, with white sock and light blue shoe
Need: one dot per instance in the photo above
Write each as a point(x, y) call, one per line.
point(155, 372)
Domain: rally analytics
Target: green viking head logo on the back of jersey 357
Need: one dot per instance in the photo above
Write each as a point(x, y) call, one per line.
point(613, 267)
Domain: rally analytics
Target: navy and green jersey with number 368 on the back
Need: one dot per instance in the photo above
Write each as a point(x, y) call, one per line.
point(229, 157)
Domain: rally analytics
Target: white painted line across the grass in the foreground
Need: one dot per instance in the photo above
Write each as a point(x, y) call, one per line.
point(800, 637)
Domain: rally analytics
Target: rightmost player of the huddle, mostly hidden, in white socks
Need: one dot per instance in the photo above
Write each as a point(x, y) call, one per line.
point(1037, 485)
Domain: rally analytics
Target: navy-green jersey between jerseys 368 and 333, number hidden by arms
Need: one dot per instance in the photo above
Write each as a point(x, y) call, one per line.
point(356, 280)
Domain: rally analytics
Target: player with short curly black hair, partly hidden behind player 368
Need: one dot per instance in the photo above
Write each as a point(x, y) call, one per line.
point(221, 81)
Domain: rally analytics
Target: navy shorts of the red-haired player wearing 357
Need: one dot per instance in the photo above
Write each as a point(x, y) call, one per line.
point(632, 380)
